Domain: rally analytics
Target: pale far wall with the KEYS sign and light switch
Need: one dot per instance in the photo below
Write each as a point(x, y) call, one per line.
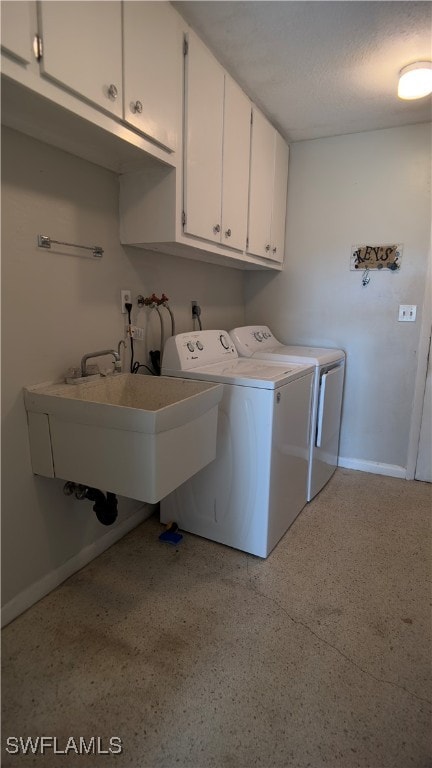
point(361, 188)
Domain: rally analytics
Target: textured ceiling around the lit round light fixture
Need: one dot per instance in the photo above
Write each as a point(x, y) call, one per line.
point(319, 68)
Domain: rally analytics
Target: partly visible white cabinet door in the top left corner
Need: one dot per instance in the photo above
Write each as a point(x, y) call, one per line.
point(17, 29)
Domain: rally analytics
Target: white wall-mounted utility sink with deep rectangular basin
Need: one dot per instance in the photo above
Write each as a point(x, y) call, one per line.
point(137, 436)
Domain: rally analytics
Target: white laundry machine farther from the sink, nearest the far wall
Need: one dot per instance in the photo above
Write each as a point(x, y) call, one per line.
point(258, 342)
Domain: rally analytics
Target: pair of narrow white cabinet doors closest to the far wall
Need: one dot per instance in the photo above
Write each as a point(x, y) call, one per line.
point(267, 191)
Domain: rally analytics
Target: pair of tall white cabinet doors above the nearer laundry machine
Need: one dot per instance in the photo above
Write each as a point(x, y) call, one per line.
point(217, 141)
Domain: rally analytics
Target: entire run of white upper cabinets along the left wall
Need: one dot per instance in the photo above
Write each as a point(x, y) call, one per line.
point(129, 86)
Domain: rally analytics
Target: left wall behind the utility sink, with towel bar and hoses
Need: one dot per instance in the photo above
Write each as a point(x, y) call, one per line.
point(56, 306)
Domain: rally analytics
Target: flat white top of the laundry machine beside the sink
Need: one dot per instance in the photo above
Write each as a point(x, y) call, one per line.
point(246, 372)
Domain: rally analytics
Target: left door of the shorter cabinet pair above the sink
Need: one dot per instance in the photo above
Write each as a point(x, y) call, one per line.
point(82, 49)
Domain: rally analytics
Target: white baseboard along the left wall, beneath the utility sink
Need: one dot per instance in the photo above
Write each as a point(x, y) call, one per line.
point(44, 586)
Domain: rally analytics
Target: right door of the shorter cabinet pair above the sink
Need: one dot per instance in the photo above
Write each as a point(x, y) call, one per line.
point(153, 62)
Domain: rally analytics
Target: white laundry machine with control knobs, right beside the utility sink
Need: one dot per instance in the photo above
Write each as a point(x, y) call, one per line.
point(251, 493)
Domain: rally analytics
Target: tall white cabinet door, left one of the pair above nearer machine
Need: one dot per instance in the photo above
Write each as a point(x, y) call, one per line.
point(204, 92)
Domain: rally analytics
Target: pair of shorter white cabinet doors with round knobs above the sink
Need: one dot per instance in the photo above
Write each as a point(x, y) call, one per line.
point(125, 58)
